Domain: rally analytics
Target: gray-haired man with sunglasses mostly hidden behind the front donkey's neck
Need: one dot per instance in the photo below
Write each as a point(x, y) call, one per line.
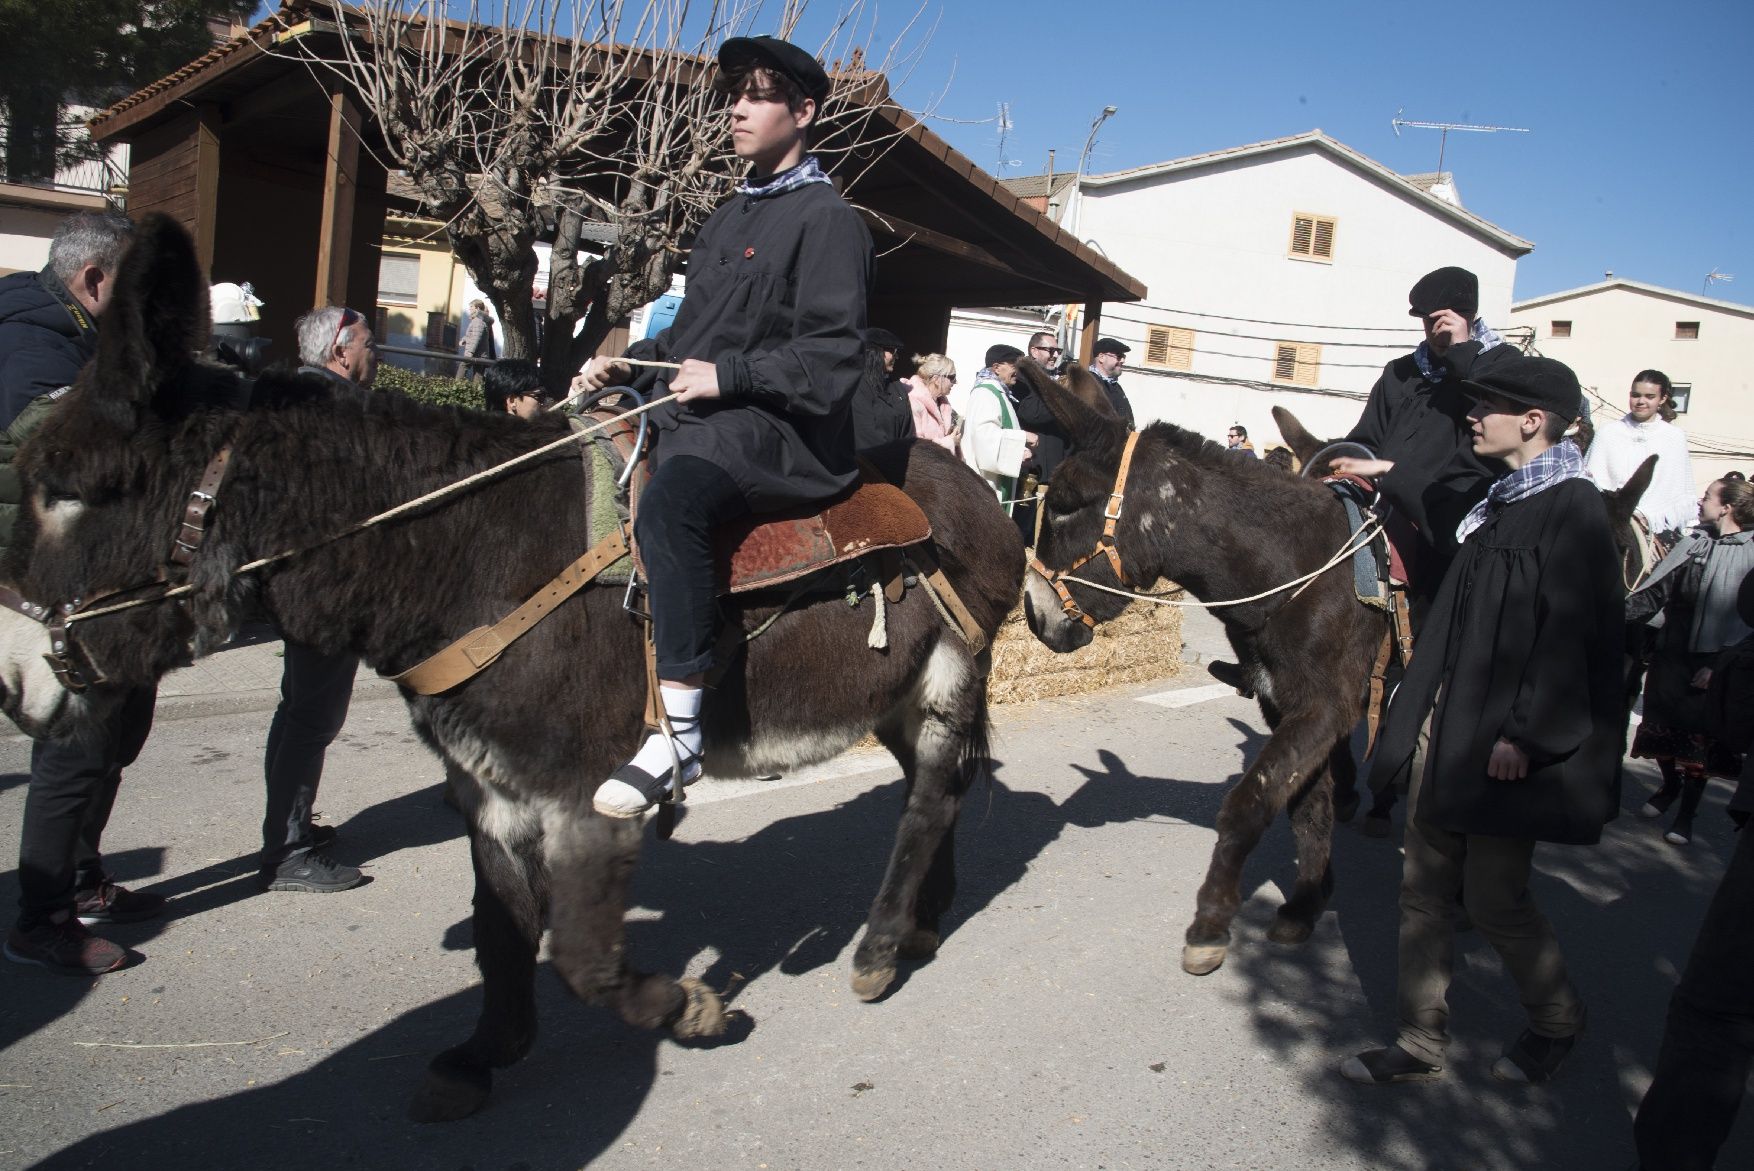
point(317, 688)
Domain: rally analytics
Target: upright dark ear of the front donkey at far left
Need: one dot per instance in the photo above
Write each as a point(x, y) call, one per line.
point(159, 315)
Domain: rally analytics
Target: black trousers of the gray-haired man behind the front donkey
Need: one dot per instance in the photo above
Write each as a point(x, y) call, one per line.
point(315, 695)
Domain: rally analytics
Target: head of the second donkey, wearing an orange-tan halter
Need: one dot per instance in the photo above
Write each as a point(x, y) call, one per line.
point(1076, 532)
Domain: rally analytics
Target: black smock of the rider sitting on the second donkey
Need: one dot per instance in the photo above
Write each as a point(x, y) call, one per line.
point(1422, 425)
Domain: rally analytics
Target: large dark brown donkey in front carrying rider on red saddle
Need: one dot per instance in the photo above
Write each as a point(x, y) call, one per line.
point(108, 479)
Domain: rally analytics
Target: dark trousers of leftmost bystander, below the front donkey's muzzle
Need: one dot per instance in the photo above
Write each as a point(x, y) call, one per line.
point(73, 790)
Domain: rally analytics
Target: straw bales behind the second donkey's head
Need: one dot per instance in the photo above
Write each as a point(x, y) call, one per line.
point(1141, 646)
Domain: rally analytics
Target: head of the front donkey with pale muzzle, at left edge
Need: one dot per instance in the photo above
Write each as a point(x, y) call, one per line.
point(104, 481)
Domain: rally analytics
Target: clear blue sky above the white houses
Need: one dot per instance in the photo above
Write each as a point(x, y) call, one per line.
point(1641, 159)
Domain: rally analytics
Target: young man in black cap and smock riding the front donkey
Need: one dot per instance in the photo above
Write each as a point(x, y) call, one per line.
point(771, 353)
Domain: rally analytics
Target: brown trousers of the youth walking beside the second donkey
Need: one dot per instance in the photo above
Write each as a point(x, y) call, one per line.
point(1492, 881)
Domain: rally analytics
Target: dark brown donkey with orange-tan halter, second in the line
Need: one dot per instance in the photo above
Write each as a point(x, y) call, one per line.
point(1222, 527)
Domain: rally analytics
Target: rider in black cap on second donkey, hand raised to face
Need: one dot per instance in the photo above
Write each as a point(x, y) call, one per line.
point(1418, 425)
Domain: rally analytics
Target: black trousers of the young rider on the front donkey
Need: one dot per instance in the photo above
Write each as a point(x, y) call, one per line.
point(687, 500)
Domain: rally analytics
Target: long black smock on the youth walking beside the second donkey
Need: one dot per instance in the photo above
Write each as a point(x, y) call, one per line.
point(1523, 644)
